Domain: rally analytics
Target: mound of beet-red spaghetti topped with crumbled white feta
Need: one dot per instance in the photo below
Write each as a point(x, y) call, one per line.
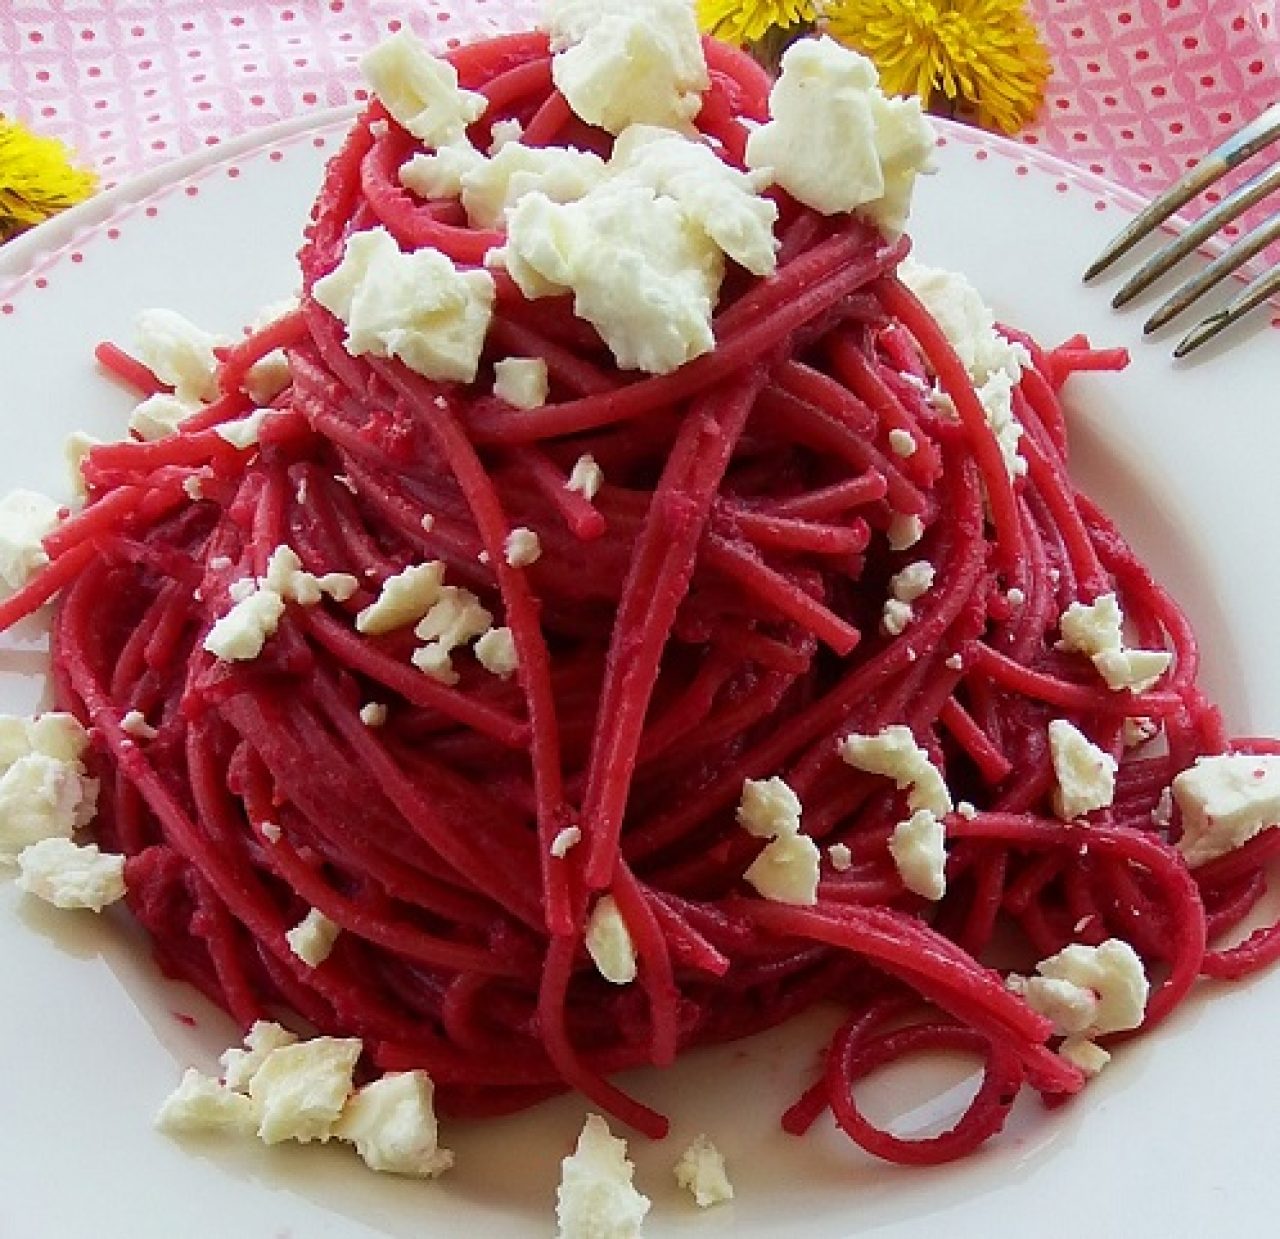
point(714, 616)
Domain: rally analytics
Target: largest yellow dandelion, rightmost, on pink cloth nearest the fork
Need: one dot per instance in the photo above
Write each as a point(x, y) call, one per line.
point(982, 56)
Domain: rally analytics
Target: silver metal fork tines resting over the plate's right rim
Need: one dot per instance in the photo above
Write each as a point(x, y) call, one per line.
point(1235, 152)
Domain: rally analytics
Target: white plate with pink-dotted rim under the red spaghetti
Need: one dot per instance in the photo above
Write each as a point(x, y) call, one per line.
point(1178, 1137)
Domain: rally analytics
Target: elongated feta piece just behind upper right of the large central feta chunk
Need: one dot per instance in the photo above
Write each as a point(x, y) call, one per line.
point(725, 204)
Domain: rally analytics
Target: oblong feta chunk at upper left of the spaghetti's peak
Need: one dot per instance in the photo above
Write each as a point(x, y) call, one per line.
point(420, 90)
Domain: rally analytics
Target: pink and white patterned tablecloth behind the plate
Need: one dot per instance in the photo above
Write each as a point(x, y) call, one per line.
point(1141, 88)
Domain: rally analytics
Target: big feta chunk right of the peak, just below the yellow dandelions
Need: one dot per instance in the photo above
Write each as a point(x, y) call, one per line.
point(836, 143)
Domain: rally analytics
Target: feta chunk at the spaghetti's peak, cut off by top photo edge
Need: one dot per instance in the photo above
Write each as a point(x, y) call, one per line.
point(628, 62)
